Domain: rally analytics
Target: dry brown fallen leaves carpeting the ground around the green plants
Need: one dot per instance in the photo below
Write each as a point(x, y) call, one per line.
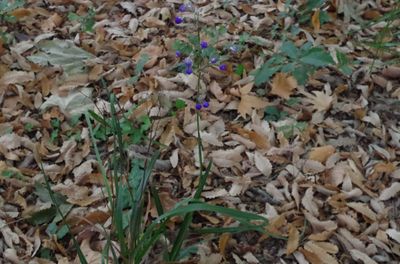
point(326, 174)
